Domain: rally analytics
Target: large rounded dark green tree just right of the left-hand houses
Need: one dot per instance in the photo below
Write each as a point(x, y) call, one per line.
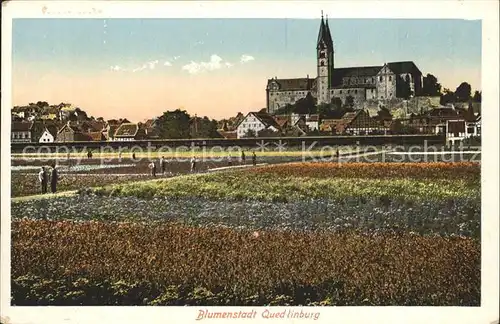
point(174, 124)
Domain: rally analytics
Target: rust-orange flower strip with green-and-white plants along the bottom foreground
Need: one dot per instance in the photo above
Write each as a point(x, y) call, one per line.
point(95, 263)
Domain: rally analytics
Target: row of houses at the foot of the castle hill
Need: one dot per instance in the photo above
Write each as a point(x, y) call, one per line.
point(455, 123)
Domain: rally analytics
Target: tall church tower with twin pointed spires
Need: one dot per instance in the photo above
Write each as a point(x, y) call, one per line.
point(325, 56)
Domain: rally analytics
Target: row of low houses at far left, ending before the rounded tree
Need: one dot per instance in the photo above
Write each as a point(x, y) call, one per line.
point(91, 130)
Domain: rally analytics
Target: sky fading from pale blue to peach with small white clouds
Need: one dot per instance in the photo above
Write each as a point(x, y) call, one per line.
point(139, 68)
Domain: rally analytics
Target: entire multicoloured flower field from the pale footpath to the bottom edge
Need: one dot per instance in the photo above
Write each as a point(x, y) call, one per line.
point(288, 234)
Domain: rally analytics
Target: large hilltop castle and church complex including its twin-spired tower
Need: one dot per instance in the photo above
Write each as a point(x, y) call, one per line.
point(380, 83)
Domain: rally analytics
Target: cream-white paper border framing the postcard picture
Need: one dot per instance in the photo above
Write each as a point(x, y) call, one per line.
point(486, 10)
